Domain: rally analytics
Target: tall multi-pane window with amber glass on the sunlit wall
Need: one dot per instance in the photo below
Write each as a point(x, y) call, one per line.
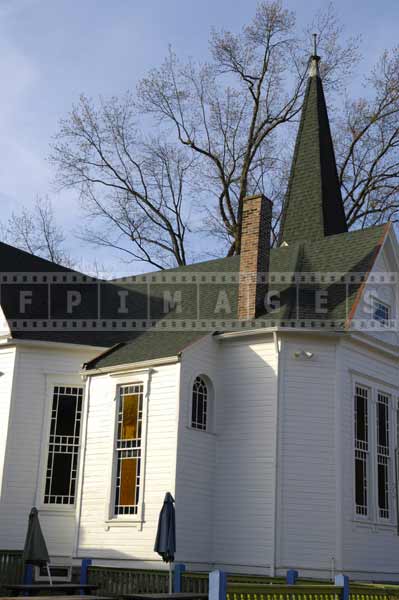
point(128, 449)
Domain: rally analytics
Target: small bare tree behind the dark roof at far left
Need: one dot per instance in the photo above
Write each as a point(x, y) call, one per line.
point(36, 231)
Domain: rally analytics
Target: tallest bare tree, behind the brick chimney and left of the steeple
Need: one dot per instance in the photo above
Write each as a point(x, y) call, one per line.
point(229, 111)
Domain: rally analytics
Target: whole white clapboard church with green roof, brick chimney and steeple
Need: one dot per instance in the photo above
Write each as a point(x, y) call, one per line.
point(273, 424)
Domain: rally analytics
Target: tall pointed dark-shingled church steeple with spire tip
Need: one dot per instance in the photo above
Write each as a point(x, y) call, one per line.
point(313, 206)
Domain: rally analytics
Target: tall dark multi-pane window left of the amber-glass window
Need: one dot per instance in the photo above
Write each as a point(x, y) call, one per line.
point(62, 462)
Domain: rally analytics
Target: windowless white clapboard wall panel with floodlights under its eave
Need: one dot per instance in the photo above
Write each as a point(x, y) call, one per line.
point(307, 494)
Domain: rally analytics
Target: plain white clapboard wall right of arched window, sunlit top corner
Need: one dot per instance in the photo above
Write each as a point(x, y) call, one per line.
point(245, 438)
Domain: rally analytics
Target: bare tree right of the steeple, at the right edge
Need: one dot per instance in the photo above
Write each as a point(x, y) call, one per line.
point(367, 144)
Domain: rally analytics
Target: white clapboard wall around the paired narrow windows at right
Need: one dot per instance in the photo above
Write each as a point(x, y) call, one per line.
point(370, 550)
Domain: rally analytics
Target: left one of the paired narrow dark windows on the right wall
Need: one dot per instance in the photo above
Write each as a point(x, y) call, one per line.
point(361, 450)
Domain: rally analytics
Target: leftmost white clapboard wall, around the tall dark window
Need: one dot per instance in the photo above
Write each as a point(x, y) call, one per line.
point(23, 473)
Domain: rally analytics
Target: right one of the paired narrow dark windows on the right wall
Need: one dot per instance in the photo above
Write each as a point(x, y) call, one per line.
point(383, 455)
